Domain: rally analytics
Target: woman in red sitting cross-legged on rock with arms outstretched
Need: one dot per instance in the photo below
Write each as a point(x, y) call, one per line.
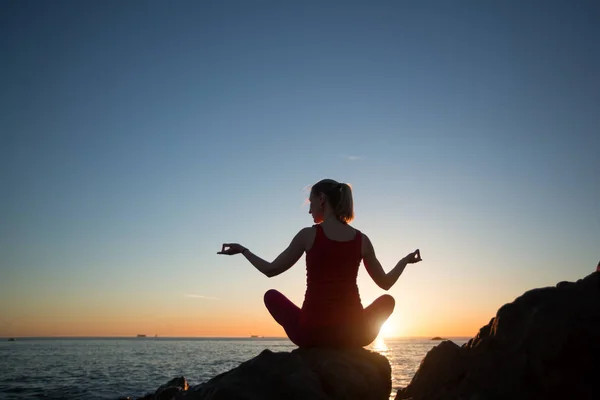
point(332, 314)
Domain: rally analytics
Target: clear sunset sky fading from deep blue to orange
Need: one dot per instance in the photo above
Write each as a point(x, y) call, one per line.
point(138, 136)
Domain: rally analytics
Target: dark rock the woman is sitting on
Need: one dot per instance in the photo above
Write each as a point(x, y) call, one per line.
point(311, 374)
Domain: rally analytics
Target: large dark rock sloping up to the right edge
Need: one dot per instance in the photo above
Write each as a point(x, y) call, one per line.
point(544, 345)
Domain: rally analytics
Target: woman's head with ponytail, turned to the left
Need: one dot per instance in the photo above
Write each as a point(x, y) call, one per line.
point(333, 196)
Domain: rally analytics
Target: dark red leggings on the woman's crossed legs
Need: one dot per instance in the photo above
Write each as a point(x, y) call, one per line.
point(287, 314)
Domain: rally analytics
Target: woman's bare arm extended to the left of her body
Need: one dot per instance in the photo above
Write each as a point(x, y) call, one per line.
point(282, 263)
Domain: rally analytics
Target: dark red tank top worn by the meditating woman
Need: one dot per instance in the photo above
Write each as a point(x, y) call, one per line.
point(332, 296)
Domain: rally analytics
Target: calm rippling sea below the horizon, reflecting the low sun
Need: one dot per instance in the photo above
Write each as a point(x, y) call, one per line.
point(107, 368)
